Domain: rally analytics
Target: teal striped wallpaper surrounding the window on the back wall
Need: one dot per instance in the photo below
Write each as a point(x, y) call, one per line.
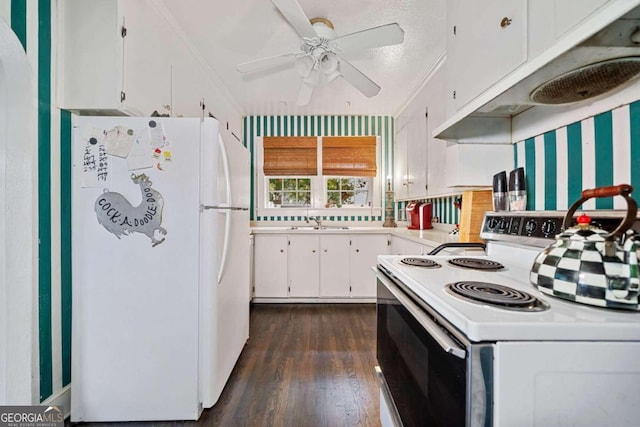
point(257, 126)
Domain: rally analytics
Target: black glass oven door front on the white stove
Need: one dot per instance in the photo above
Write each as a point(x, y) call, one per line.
point(427, 384)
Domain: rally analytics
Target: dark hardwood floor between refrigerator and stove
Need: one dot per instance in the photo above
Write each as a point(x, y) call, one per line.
point(304, 365)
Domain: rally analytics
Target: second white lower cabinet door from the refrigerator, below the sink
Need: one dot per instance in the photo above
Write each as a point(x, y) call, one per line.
point(304, 266)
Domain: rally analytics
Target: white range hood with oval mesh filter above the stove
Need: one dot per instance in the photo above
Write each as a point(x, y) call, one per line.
point(604, 62)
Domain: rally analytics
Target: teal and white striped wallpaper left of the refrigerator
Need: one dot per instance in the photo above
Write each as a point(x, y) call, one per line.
point(33, 22)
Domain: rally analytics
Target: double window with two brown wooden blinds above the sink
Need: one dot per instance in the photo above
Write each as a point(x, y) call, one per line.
point(319, 172)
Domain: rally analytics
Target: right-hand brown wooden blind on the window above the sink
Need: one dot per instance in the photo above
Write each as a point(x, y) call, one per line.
point(349, 156)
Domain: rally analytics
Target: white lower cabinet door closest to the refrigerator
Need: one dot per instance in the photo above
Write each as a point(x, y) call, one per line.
point(270, 266)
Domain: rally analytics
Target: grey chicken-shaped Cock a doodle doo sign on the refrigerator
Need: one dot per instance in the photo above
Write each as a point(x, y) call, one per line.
point(119, 217)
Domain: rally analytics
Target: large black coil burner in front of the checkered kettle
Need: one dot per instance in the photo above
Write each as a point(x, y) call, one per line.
point(496, 295)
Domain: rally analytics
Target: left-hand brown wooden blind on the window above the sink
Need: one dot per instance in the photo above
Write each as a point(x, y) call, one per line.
point(290, 155)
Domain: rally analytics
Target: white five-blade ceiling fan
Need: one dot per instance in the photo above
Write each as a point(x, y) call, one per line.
point(320, 57)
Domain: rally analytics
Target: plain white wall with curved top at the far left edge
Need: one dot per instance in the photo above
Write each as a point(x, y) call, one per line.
point(18, 269)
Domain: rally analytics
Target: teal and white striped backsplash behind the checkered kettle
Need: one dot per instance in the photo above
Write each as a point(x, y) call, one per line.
point(597, 151)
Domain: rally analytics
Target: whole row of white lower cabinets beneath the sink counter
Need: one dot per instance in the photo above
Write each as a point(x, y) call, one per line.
point(312, 266)
